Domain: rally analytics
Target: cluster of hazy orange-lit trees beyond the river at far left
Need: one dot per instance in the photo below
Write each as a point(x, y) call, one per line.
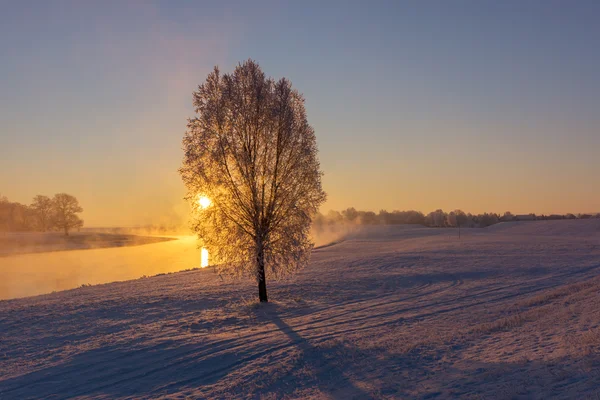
point(42, 215)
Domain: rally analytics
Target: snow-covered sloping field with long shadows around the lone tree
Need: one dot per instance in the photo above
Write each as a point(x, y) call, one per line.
point(512, 311)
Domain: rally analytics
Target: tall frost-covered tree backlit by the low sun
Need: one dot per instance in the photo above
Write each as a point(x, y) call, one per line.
point(252, 174)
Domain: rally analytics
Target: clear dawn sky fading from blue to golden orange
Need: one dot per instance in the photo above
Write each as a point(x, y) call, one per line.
point(478, 105)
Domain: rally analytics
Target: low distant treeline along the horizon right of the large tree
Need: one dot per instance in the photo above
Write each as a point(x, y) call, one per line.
point(437, 218)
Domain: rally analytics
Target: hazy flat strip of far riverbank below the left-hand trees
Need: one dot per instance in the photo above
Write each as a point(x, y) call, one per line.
point(22, 243)
